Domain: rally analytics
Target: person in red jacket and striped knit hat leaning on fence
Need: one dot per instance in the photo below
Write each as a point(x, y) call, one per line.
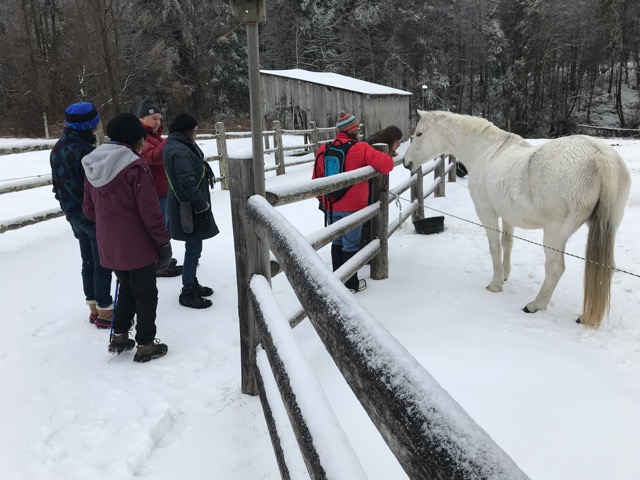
point(360, 154)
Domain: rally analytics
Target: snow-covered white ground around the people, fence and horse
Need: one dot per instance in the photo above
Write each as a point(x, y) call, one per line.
point(561, 400)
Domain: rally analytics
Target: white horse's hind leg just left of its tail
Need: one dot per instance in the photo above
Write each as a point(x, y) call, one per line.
point(553, 268)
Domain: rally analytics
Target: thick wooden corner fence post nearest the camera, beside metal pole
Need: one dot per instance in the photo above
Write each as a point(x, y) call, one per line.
point(250, 259)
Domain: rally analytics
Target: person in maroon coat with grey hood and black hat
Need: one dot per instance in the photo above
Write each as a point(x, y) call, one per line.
point(120, 198)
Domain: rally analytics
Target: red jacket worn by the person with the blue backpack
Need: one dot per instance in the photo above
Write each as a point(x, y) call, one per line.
point(359, 155)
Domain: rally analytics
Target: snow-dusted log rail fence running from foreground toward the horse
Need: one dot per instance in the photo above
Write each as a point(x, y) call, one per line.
point(429, 433)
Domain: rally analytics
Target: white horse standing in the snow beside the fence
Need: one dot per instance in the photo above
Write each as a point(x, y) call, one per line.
point(557, 186)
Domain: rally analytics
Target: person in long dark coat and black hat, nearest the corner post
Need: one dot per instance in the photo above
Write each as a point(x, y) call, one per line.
point(189, 204)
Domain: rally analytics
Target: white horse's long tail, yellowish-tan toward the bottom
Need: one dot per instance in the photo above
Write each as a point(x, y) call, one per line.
point(603, 223)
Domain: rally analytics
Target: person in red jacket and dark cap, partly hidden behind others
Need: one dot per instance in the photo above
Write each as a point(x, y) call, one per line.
point(151, 120)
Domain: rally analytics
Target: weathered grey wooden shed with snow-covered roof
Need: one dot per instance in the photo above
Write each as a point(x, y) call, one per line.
point(296, 97)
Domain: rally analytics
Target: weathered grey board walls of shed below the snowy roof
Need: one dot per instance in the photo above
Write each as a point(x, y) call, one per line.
point(283, 97)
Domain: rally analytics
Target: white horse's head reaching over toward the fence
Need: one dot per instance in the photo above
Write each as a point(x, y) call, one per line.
point(427, 141)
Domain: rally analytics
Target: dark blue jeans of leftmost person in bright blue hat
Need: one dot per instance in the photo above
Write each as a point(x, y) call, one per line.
point(96, 280)
